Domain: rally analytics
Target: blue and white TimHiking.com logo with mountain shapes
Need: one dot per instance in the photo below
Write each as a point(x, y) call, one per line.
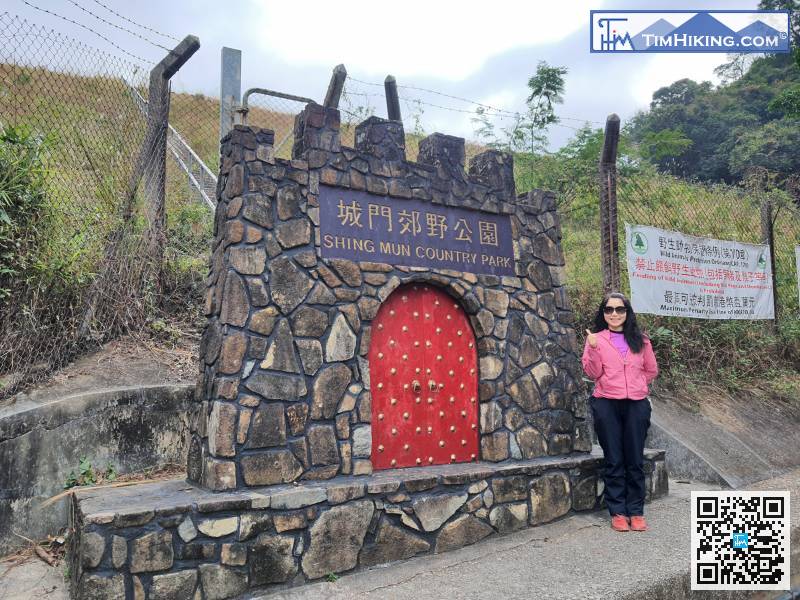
point(727, 31)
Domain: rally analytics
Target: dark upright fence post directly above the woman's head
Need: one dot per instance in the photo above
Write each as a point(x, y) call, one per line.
point(609, 236)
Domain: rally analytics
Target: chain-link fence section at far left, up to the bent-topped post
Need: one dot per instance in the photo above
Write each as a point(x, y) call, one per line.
point(68, 110)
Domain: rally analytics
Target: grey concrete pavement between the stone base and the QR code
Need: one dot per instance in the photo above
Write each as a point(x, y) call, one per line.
point(577, 557)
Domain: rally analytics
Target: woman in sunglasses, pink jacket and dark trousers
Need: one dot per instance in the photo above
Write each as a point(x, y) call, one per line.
point(620, 361)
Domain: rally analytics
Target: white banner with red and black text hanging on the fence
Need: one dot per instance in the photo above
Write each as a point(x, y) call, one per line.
point(685, 276)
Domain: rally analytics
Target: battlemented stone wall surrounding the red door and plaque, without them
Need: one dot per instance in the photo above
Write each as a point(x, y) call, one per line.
point(285, 383)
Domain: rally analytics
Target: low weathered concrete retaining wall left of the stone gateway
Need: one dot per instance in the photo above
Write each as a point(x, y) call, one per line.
point(43, 438)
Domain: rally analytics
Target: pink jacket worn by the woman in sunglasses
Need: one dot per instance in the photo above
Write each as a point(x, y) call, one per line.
point(616, 377)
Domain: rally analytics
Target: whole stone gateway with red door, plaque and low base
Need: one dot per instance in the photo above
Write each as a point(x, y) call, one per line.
point(389, 368)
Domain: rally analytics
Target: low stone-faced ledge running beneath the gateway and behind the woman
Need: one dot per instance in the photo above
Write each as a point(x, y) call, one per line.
point(171, 539)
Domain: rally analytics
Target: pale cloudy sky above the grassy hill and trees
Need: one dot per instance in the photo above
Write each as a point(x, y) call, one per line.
point(478, 51)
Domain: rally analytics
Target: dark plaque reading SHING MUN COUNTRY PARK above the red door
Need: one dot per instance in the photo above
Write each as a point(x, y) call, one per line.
point(365, 227)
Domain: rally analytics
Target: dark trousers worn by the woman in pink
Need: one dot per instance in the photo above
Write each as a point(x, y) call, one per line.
point(621, 427)
